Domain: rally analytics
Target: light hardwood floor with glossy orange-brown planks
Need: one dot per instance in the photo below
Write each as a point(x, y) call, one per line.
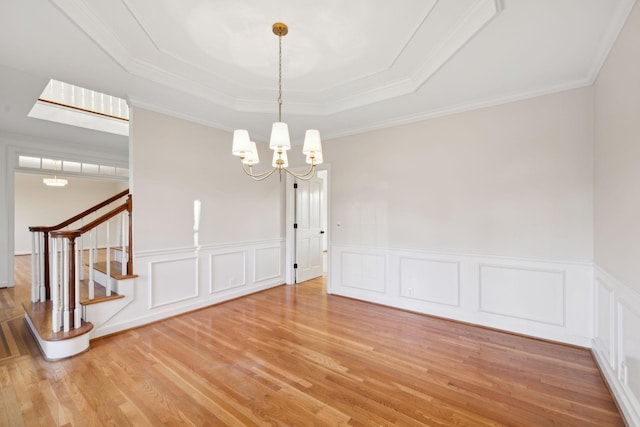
point(293, 355)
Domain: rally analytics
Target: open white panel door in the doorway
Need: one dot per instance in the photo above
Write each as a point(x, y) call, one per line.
point(308, 229)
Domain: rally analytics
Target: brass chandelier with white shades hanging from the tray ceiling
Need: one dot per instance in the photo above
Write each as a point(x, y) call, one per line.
point(279, 143)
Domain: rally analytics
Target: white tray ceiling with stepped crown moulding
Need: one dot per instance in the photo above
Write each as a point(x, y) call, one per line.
point(348, 66)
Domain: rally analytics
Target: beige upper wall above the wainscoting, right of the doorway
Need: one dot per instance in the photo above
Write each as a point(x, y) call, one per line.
point(508, 180)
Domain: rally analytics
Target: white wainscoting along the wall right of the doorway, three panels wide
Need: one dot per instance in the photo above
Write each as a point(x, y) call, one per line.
point(548, 299)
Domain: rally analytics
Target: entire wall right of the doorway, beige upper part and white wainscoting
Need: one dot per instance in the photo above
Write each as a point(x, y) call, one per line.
point(484, 216)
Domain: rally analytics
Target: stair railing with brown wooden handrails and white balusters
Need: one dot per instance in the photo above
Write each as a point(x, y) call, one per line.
point(56, 274)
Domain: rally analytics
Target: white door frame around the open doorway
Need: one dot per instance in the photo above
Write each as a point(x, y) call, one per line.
point(289, 221)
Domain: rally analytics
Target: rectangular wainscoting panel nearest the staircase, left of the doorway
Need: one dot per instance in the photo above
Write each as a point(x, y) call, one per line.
point(172, 281)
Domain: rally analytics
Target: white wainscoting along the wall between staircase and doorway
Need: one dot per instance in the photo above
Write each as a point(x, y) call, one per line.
point(179, 280)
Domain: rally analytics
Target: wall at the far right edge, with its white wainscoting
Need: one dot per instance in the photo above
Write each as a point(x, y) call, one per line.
point(617, 218)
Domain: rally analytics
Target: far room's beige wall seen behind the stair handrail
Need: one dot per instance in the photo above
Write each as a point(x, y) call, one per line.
point(37, 204)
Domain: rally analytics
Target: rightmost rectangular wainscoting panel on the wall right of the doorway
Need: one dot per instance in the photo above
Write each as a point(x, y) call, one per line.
point(530, 294)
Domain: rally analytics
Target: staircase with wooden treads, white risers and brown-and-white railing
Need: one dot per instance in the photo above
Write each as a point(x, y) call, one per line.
point(79, 280)
